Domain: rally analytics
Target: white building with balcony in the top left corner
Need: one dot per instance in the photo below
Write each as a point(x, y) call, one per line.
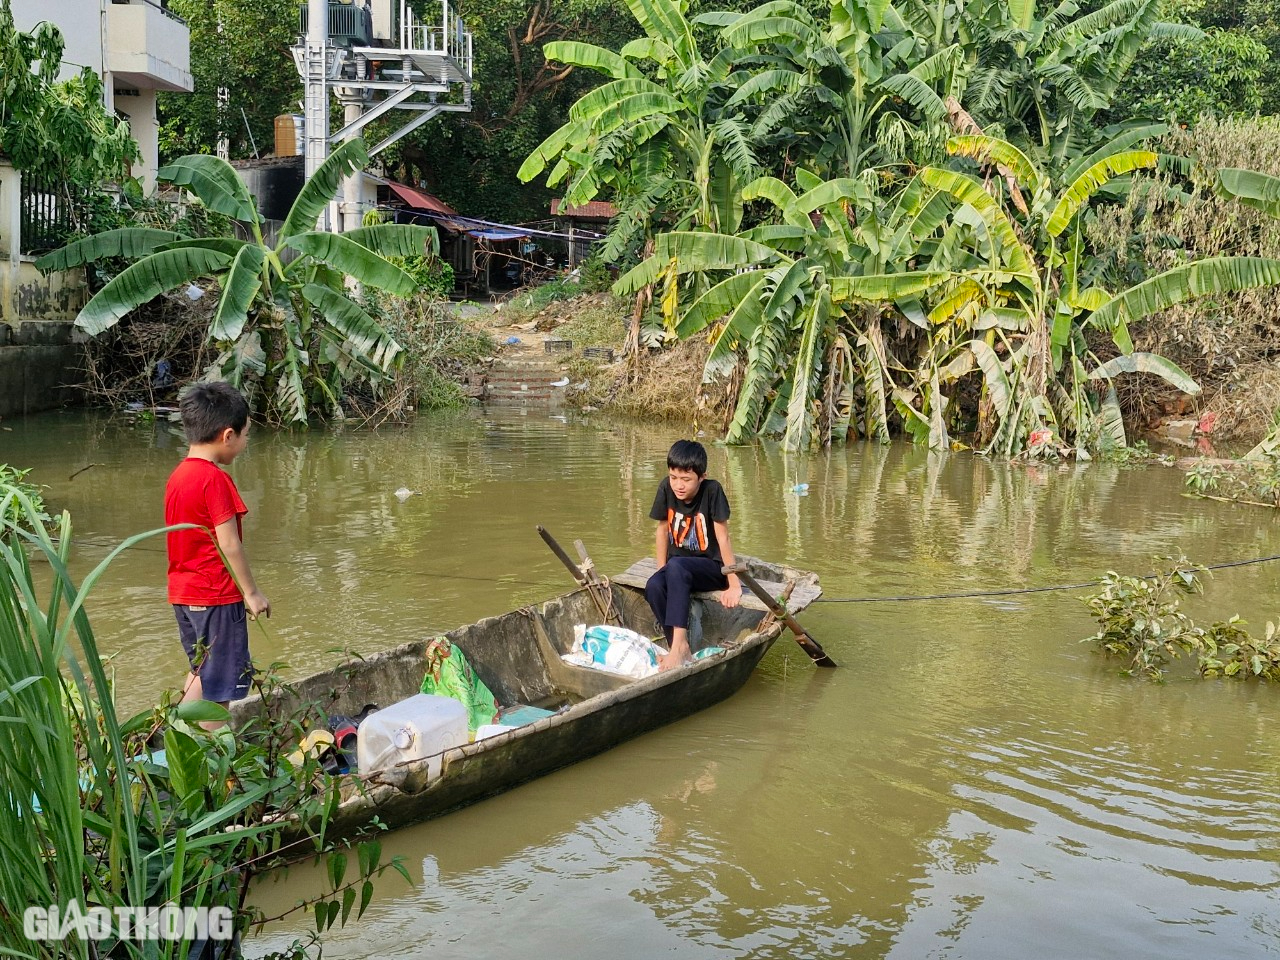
point(136, 47)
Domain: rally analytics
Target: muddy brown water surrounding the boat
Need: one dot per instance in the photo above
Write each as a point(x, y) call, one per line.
point(971, 783)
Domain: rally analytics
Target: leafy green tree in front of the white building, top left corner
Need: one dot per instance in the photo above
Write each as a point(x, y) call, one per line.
point(58, 130)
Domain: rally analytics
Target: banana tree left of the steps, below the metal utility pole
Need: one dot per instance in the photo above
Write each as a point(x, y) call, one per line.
point(286, 327)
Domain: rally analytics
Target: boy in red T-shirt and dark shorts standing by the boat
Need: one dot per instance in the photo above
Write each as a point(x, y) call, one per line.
point(207, 601)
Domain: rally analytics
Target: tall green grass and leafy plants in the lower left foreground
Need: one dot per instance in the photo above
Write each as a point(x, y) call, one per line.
point(88, 815)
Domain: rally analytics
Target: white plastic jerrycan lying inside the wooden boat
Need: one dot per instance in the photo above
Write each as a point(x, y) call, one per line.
point(423, 726)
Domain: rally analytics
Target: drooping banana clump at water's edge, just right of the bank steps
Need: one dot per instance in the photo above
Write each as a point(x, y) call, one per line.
point(803, 299)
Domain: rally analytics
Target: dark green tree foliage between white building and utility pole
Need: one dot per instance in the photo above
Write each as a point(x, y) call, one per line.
point(244, 48)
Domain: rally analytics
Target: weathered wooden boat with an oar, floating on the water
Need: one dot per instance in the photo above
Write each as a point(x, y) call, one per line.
point(518, 656)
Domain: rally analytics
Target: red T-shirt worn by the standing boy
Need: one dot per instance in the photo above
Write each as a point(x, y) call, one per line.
point(200, 492)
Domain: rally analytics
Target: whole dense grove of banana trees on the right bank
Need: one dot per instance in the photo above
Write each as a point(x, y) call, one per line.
point(845, 291)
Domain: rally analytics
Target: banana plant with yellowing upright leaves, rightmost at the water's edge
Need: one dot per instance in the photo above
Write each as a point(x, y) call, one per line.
point(1040, 364)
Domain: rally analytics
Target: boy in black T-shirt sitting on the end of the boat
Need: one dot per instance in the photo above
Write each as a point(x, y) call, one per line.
point(691, 545)
